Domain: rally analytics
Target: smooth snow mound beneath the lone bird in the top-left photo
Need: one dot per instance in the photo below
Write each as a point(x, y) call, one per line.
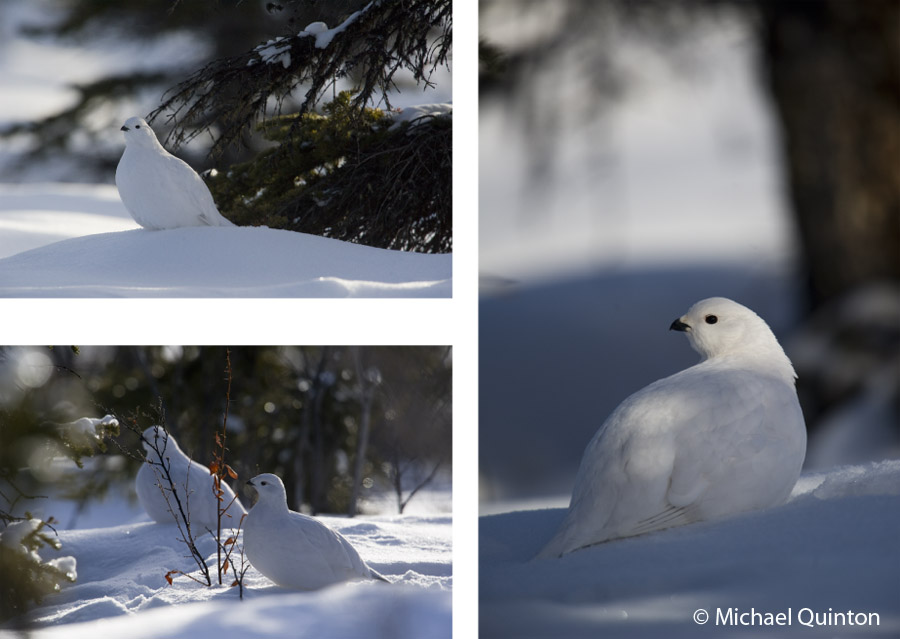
point(220, 262)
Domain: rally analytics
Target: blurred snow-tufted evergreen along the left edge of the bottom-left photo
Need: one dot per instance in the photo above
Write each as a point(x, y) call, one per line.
point(42, 401)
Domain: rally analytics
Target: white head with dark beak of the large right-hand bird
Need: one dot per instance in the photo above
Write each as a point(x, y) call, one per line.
point(718, 327)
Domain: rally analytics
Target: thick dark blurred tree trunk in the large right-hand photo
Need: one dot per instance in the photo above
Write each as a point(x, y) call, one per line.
point(834, 71)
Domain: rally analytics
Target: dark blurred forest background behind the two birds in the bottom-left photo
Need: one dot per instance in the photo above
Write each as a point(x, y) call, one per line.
point(349, 429)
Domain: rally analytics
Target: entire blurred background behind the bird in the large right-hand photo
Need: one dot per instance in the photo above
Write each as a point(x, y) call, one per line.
point(636, 157)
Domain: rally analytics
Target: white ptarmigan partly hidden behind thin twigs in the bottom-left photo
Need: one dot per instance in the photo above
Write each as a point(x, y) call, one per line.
point(193, 483)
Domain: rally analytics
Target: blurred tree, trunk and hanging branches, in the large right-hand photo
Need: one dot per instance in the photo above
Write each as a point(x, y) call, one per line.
point(833, 70)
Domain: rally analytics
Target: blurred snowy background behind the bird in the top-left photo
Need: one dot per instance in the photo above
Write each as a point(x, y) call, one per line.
point(74, 70)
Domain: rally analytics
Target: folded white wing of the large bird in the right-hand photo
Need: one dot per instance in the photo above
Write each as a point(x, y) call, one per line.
point(654, 461)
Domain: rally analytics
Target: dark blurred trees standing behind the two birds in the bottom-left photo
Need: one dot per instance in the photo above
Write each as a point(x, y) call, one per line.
point(295, 411)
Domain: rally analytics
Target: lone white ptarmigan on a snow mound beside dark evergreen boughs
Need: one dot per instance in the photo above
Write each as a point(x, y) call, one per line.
point(159, 190)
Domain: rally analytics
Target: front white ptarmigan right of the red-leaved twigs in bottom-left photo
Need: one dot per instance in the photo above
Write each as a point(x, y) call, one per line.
point(293, 550)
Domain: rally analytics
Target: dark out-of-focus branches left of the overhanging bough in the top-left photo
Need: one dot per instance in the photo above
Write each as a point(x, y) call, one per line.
point(82, 130)
